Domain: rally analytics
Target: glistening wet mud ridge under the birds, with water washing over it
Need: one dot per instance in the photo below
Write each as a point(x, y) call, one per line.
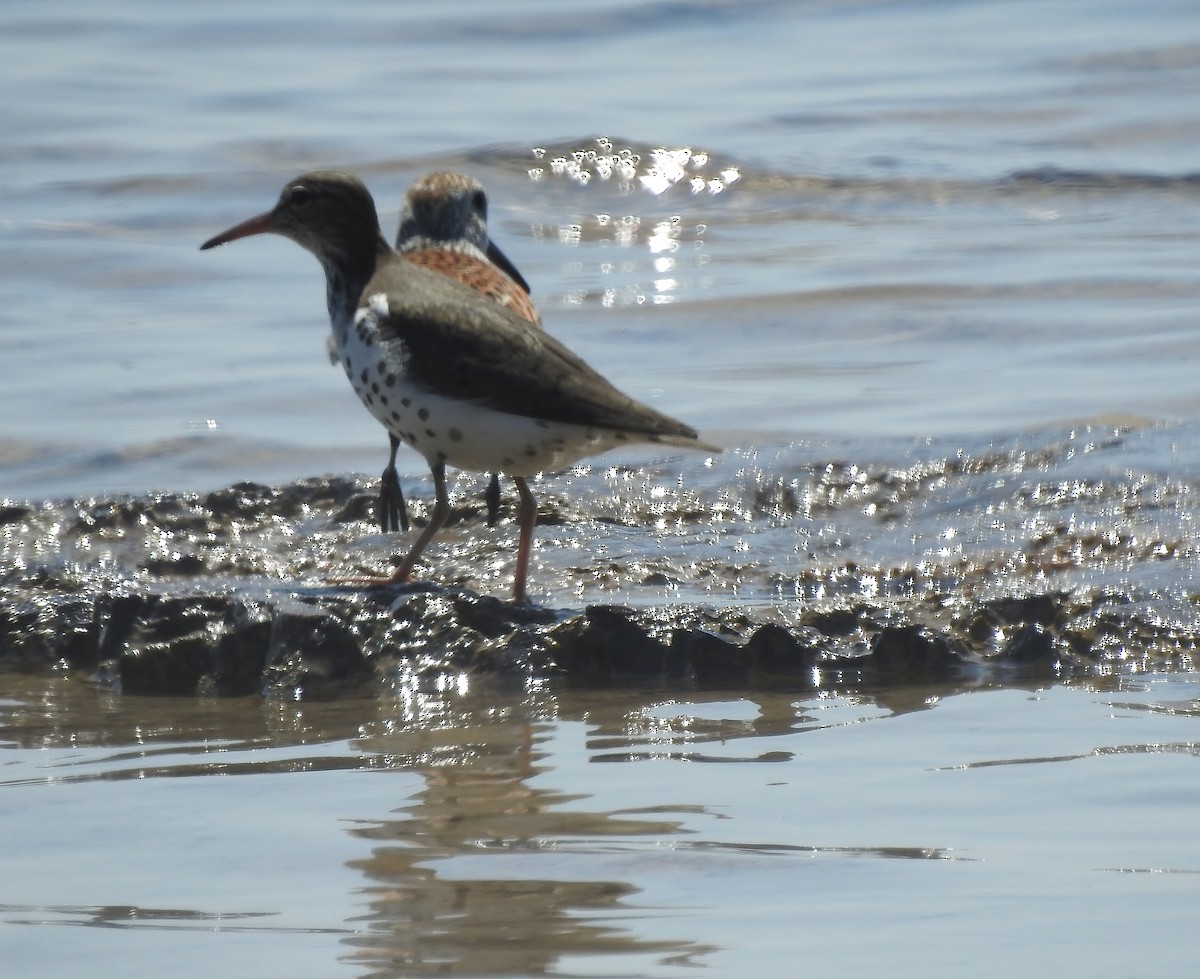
point(1046, 557)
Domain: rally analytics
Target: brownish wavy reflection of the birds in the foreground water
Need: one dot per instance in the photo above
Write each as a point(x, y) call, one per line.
point(482, 797)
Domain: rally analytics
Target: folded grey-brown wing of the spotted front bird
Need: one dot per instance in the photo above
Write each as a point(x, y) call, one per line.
point(464, 346)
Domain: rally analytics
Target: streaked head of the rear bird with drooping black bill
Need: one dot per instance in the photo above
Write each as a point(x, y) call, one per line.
point(451, 209)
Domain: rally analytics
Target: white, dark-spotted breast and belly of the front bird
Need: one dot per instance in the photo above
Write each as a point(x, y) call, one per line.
point(461, 434)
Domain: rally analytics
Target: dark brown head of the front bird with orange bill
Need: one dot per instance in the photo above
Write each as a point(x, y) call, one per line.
point(329, 213)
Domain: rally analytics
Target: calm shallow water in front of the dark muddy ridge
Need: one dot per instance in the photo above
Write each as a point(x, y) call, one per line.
point(621, 833)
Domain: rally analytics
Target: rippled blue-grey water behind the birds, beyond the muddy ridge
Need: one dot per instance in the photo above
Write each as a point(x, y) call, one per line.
point(883, 221)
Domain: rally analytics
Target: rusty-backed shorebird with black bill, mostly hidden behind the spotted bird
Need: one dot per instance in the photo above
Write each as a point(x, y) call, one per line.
point(443, 227)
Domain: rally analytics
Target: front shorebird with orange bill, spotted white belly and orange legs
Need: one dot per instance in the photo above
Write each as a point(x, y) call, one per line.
point(447, 370)
